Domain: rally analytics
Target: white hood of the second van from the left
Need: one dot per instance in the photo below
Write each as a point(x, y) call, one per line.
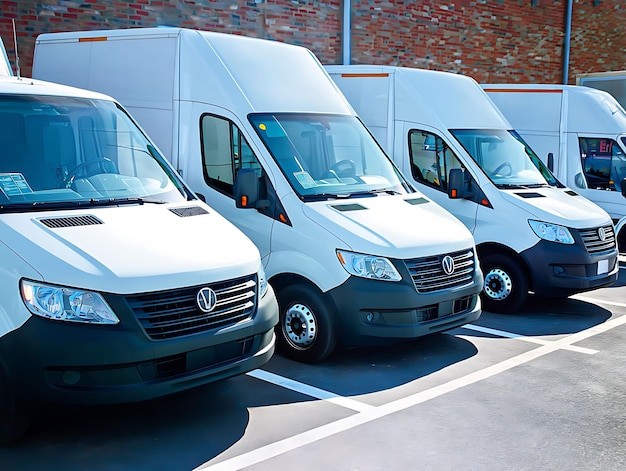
point(395, 226)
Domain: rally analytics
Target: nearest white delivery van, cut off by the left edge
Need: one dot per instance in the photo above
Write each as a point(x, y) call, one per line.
point(117, 283)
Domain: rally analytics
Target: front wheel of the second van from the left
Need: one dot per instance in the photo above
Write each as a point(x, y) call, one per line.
point(306, 332)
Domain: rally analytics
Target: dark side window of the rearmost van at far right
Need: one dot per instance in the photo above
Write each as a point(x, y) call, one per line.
point(603, 162)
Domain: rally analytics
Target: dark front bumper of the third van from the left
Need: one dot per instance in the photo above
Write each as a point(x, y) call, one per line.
point(560, 270)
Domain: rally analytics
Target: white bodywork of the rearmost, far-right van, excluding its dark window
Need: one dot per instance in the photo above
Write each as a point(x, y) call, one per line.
point(551, 118)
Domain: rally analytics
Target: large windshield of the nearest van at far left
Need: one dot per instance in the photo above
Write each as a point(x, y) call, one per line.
point(67, 151)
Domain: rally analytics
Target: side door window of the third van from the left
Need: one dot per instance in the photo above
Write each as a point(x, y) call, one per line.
point(431, 159)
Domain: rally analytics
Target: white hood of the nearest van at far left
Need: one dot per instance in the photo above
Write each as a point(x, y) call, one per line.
point(130, 249)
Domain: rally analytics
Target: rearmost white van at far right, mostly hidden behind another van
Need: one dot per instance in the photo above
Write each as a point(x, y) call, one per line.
point(580, 133)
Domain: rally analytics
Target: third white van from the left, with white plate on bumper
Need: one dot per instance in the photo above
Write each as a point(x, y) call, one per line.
point(532, 233)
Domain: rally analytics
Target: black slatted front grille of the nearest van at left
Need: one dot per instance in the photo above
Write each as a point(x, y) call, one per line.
point(174, 313)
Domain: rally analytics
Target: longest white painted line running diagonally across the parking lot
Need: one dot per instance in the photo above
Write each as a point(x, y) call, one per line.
point(291, 443)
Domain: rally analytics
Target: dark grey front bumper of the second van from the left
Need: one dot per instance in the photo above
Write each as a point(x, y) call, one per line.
point(371, 312)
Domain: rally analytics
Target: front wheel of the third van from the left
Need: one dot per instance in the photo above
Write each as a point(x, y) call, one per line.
point(505, 287)
